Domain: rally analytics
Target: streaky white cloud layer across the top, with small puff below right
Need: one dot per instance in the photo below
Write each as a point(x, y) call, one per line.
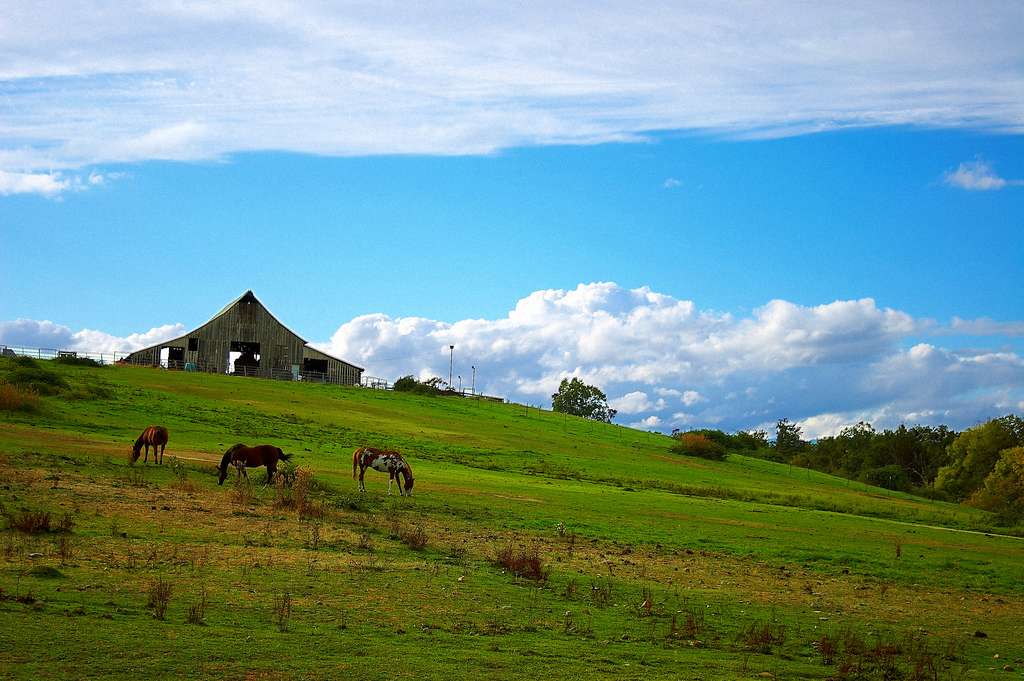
point(99, 83)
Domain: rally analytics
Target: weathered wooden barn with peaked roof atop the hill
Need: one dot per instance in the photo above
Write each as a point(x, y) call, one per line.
point(246, 339)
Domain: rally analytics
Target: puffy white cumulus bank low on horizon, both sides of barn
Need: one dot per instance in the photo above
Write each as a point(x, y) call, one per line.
point(665, 364)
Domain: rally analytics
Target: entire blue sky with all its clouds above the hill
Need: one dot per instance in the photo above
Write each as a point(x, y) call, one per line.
point(799, 200)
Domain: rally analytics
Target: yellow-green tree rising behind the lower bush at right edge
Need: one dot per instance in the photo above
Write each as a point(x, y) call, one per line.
point(974, 453)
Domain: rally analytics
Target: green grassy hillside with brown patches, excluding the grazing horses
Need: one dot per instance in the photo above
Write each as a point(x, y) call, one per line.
point(658, 566)
